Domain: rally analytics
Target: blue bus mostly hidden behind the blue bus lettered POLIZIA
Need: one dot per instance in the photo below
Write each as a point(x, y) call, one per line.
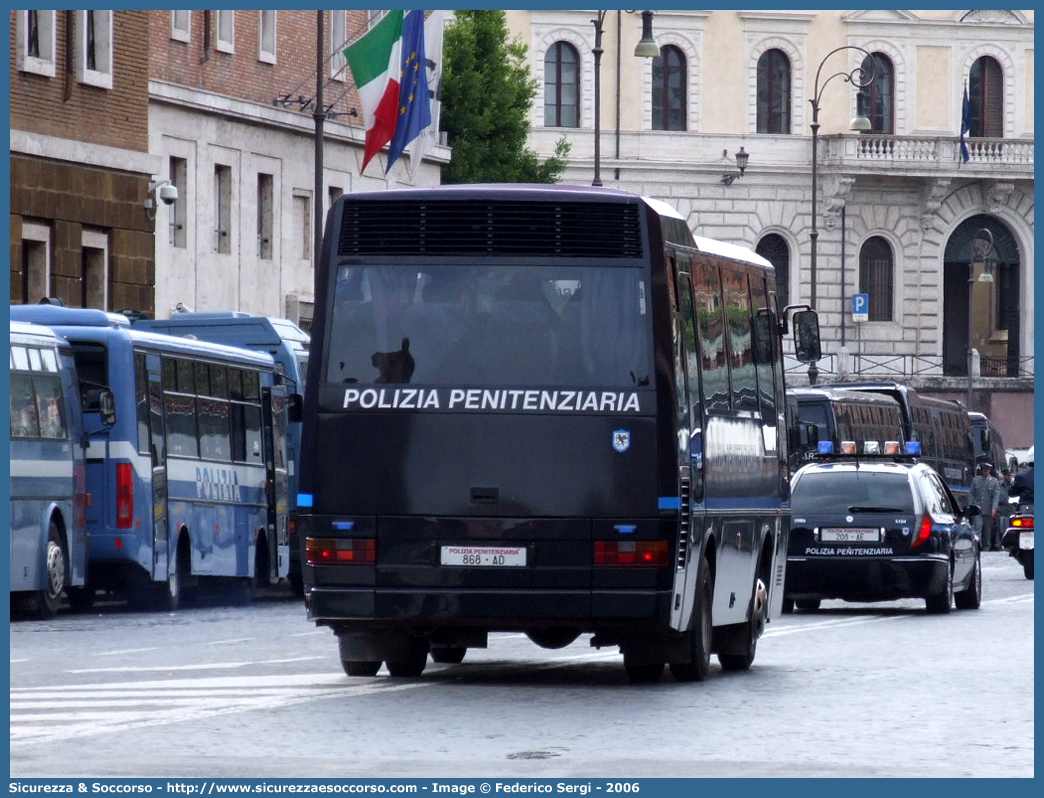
point(289, 346)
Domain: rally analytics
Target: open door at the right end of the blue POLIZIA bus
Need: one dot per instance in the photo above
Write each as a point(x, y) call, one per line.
point(277, 490)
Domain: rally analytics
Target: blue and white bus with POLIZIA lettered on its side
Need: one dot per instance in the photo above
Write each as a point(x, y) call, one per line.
point(187, 478)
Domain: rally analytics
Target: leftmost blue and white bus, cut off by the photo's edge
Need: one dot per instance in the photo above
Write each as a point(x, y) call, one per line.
point(49, 543)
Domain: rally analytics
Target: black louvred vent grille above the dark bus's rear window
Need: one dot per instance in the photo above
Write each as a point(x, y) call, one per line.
point(477, 228)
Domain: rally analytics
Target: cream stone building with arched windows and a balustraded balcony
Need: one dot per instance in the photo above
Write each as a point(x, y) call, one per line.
point(901, 217)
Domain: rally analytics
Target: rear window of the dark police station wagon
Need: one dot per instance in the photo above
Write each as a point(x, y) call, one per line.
point(852, 491)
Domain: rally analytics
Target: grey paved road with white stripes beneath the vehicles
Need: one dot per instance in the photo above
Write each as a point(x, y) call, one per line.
point(881, 690)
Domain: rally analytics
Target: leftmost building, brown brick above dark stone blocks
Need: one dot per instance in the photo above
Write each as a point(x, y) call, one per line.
point(80, 162)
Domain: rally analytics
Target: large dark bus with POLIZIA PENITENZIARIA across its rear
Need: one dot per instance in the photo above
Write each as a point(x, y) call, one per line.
point(545, 410)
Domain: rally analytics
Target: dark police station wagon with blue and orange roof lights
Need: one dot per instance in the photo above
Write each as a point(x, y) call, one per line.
point(879, 526)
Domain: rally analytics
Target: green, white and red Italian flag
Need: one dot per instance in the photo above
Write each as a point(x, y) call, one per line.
point(376, 64)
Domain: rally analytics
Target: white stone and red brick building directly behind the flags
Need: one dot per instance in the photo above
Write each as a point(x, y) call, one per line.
point(232, 104)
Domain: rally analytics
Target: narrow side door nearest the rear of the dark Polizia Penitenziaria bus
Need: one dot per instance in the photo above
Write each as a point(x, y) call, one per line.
point(690, 451)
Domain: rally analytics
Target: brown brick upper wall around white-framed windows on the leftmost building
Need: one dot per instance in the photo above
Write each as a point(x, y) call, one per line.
point(63, 108)
